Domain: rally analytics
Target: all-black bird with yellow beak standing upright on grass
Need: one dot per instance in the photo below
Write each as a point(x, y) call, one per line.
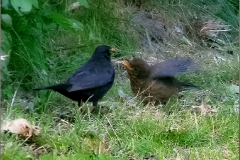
point(91, 81)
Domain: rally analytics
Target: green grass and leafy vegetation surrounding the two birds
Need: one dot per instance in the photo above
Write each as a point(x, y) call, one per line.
point(44, 42)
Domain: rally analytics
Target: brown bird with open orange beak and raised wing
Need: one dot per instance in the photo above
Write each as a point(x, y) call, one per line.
point(157, 83)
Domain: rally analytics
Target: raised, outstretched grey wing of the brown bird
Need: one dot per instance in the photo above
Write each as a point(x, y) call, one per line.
point(173, 67)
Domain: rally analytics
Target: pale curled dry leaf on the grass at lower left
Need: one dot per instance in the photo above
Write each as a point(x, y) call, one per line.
point(21, 127)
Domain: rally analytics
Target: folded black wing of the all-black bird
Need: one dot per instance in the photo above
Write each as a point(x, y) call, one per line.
point(90, 76)
